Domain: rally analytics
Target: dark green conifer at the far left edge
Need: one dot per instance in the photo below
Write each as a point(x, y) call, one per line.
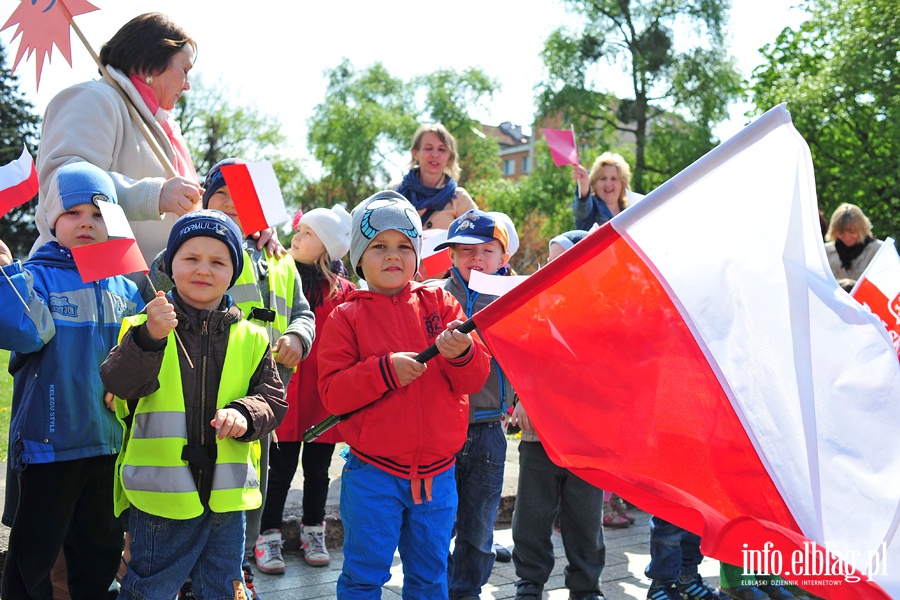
point(18, 127)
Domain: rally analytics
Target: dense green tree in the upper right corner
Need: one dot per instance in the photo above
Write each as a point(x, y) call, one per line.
point(838, 74)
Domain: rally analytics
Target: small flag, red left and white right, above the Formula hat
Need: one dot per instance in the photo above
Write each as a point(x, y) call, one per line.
point(256, 194)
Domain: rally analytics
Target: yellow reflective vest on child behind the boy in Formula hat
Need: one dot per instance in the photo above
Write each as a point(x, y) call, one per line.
point(281, 280)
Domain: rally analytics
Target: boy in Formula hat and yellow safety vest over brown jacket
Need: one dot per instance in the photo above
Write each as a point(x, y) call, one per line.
point(200, 388)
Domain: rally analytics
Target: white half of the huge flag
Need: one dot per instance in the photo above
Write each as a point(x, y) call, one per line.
point(809, 372)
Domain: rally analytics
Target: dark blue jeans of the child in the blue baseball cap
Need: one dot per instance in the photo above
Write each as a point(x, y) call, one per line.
point(479, 483)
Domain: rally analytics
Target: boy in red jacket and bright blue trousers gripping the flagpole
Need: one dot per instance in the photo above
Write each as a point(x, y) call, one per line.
point(398, 488)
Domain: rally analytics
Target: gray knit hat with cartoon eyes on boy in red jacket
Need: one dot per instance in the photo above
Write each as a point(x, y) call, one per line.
point(379, 212)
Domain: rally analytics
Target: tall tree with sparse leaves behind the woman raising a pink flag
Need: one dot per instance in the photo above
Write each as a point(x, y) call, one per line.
point(684, 91)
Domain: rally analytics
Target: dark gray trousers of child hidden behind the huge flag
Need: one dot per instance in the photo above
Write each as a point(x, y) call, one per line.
point(543, 488)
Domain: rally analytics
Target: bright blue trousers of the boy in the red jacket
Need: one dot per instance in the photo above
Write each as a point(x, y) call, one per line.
point(379, 516)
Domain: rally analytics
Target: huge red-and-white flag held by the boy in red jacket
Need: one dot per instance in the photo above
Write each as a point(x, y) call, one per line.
point(696, 356)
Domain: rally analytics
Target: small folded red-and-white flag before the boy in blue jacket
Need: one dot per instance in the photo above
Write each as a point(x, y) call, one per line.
point(118, 255)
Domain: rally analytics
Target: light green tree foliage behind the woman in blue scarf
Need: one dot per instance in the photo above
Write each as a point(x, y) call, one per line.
point(362, 130)
